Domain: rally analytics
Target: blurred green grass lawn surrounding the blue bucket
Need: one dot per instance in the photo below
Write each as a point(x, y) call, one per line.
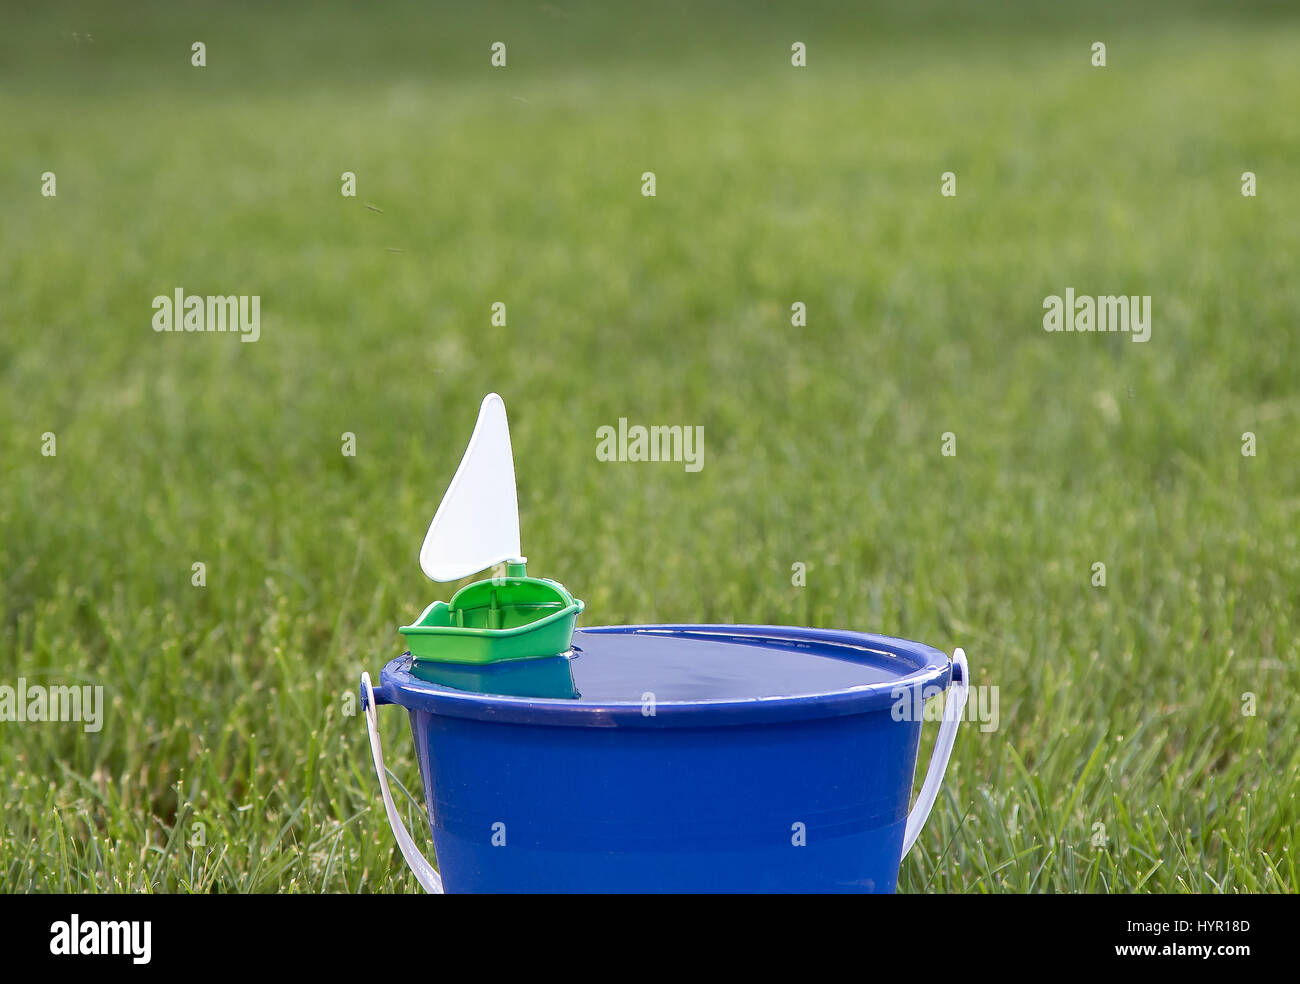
point(1119, 706)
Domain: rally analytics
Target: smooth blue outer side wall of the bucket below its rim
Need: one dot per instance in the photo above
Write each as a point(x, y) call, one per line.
point(798, 807)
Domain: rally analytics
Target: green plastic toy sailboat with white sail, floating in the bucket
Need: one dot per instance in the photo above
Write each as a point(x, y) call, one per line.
point(475, 528)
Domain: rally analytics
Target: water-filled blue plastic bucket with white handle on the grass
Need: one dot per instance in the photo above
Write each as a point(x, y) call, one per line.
point(682, 758)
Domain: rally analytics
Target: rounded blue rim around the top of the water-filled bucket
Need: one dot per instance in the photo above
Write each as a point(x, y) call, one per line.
point(930, 669)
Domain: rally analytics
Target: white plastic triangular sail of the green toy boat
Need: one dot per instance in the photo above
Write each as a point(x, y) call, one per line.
point(478, 522)
